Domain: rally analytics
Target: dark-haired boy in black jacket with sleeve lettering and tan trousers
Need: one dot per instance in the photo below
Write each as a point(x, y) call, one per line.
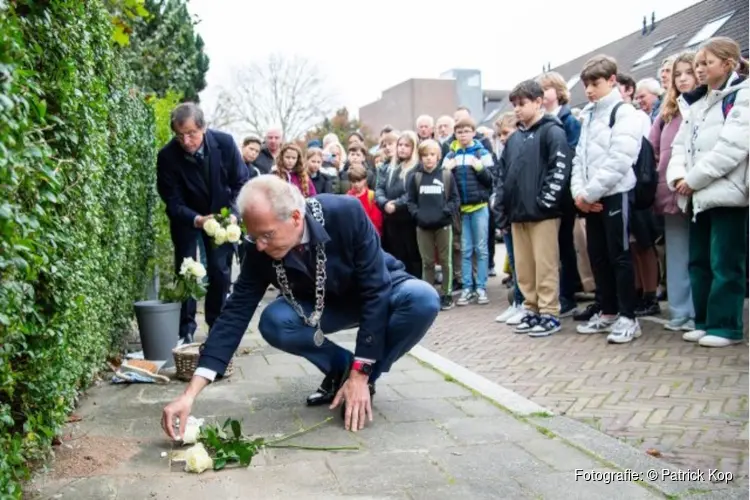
point(534, 177)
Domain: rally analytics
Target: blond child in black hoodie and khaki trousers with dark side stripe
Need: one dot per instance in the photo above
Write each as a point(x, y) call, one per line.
point(432, 199)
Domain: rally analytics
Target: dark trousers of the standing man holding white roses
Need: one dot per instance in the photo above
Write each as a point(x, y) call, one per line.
point(219, 273)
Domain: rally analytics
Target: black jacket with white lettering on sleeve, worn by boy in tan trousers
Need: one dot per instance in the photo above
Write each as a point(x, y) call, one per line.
point(534, 173)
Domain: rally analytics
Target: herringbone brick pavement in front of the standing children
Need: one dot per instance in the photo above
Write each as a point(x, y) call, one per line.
point(688, 402)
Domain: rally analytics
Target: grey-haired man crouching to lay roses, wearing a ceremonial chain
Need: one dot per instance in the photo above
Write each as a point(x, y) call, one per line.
point(325, 257)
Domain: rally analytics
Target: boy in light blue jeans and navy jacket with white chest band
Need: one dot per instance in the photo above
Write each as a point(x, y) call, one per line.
point(471, 164)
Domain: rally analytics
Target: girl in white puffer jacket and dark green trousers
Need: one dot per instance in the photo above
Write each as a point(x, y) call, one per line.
point(709, 172)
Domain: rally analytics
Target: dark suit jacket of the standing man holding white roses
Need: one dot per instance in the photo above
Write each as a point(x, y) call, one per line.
point(181, 185)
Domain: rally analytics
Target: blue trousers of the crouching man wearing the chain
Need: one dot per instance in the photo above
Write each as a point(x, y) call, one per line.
point(413, 308)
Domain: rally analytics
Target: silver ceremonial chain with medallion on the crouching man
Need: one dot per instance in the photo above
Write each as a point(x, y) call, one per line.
point(320, 282)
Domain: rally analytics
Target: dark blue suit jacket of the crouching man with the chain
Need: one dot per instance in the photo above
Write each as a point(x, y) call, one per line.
point(360, 275)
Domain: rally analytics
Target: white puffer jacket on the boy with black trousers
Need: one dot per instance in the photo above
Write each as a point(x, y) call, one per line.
point(603, 164)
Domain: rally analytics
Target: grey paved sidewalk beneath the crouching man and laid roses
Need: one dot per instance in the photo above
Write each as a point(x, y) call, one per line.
point(431, 438)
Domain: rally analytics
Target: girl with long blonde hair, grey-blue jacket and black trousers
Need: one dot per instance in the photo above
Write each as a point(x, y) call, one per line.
point(399, 228)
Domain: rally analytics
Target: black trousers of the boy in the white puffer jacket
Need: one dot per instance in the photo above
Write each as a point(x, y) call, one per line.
point(608, 245)
